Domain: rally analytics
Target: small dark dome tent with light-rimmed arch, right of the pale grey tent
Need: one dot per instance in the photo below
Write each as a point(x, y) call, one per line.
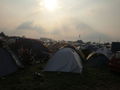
point(97, 60)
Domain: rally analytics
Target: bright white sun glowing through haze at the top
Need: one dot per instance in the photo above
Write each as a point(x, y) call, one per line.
point(51, 5)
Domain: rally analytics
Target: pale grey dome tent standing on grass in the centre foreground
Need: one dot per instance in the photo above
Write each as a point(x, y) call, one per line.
point(65, 60)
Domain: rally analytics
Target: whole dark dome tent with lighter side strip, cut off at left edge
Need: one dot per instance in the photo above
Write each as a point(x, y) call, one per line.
point(9, 63)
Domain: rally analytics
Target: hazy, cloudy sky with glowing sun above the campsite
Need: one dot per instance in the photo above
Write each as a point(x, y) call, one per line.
point(92, 20)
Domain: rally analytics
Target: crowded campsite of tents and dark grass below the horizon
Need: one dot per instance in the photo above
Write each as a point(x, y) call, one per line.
point(28, 64)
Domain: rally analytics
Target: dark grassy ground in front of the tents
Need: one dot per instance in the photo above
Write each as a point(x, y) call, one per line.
point(90, 79)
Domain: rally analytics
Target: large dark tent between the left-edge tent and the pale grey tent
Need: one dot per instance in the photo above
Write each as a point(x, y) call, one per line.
point(30, 51)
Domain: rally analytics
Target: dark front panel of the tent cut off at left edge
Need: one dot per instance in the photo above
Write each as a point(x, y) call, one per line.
point(7, 64)
